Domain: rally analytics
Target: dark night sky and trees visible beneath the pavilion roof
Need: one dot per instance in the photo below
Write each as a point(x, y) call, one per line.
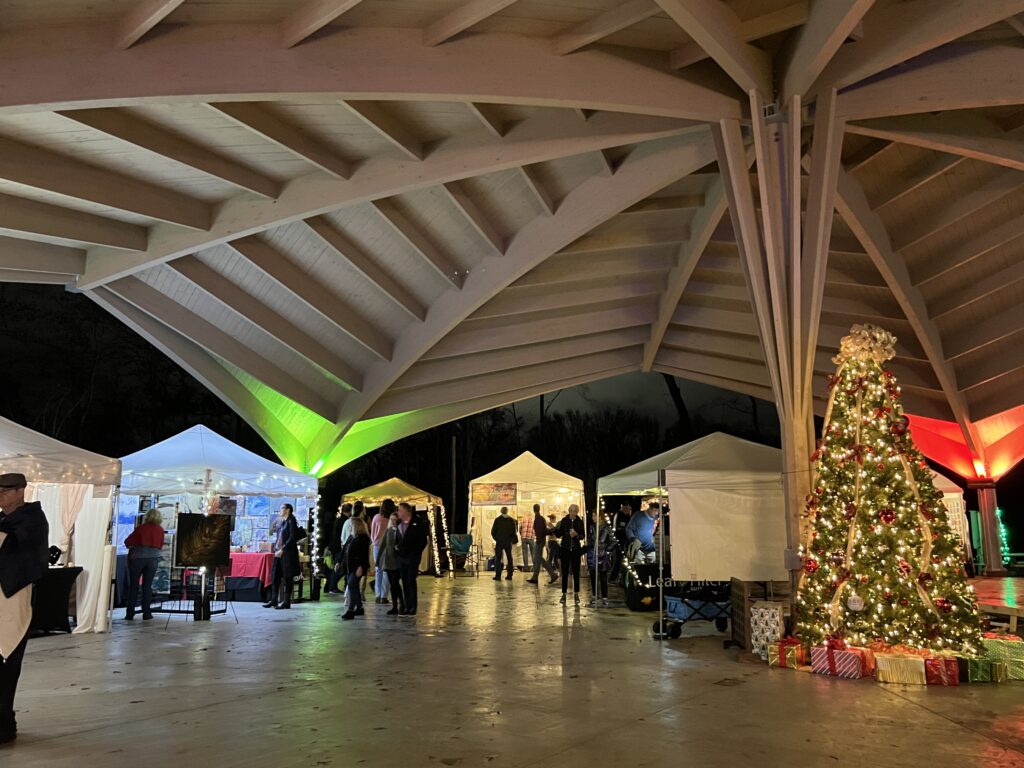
point(76, 373)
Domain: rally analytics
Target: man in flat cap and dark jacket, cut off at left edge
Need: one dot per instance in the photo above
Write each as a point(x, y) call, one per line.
point(24, 550)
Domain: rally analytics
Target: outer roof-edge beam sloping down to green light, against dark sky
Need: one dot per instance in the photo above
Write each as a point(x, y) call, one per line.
point(208, 371)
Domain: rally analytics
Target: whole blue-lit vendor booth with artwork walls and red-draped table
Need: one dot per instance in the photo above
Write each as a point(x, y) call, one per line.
point(198, 472)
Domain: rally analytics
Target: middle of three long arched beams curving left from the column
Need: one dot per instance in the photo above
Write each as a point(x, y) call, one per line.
point(536, 140)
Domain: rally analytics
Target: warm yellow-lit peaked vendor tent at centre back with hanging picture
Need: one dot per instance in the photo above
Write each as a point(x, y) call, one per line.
point(520, 485)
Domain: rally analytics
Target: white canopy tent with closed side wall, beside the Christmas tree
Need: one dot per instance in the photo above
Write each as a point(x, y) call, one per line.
point(729, 513)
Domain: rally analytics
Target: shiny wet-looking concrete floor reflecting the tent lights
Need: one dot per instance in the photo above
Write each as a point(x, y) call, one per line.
point(488, 675)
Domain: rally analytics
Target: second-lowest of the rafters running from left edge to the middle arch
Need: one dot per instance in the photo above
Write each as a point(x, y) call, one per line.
point(41, 220)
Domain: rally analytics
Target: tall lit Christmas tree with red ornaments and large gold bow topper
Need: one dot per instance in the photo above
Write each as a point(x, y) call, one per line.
point(881, 562)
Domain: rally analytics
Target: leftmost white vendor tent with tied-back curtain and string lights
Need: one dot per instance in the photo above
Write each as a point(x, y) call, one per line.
point(76, 491)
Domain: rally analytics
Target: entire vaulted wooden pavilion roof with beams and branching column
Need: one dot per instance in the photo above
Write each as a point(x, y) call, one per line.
point(357, 220)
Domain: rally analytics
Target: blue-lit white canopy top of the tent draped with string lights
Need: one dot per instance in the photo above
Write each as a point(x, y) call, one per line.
point(200, 461)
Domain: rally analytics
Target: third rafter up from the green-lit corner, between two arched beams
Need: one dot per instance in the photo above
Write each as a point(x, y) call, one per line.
point(314, 294)
